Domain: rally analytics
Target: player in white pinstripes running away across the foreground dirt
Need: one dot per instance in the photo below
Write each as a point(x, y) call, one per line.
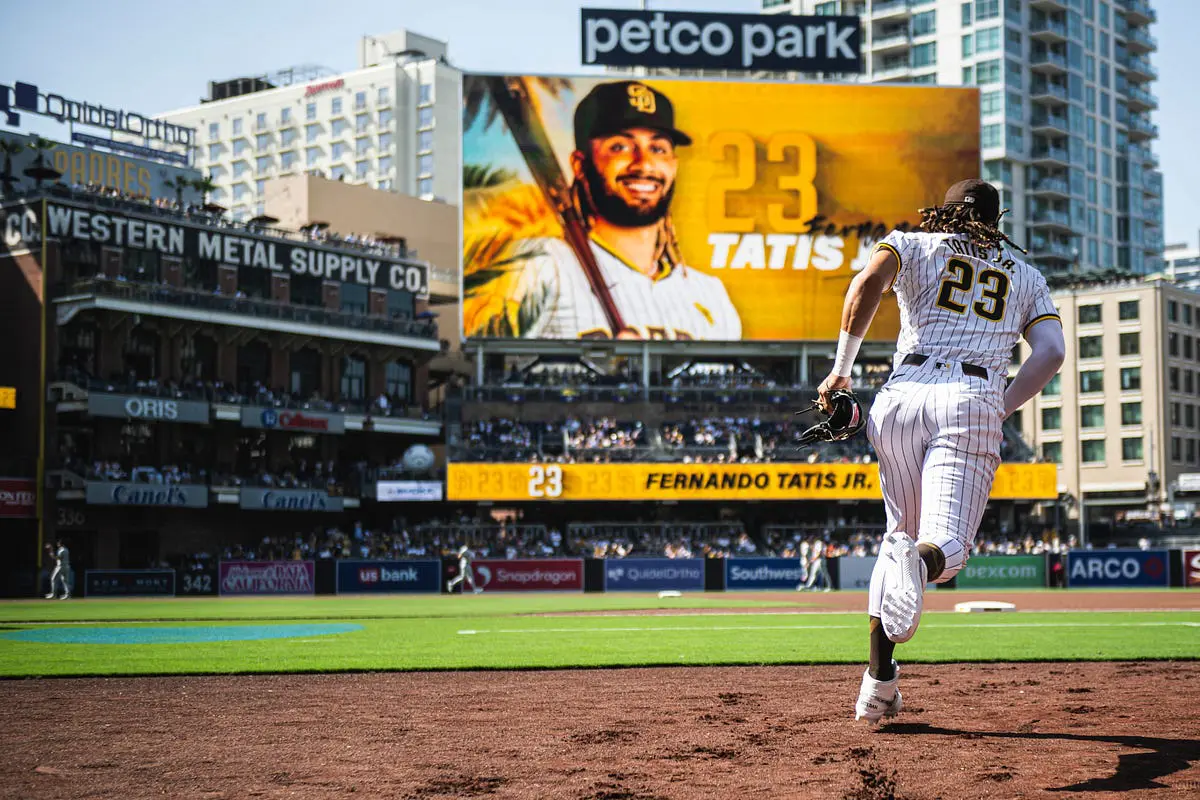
point(965, 298)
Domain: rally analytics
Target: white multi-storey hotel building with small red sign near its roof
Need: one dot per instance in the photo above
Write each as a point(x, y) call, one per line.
point(393, 124)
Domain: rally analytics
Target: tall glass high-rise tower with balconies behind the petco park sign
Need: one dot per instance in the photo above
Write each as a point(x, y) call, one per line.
point(1066, 107)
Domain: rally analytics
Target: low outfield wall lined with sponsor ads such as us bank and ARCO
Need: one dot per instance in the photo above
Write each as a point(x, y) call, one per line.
point(1077, 569)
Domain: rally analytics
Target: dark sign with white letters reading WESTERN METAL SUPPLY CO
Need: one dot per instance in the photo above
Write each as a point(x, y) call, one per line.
point(233, 248)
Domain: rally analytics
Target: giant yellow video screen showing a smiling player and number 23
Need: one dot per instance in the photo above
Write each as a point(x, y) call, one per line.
point(764, 201)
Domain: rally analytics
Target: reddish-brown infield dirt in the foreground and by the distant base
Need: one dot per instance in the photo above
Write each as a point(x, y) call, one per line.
point(968, 731)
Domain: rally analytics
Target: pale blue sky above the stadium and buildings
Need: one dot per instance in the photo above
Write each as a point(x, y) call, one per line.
point(153, 56)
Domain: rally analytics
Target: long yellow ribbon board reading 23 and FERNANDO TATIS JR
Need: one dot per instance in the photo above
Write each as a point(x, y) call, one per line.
point(776, 482)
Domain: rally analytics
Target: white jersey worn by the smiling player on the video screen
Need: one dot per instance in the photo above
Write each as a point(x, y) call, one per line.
point(683, 304)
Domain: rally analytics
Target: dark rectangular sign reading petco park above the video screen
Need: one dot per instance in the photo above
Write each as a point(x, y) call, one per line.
point(693, 40)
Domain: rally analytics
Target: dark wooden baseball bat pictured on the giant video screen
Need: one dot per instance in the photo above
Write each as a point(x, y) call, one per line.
point(518, 105)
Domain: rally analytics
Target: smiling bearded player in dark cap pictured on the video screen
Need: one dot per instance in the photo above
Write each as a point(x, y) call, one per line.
point(625, 177)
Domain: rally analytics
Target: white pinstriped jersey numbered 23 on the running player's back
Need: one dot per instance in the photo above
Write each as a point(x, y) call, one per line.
point(963, 302)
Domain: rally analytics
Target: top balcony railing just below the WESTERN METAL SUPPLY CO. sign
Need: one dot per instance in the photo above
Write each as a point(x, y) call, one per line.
point(163, 294)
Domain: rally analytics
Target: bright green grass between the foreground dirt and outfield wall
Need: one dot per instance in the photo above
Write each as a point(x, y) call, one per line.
point(488, 633)
